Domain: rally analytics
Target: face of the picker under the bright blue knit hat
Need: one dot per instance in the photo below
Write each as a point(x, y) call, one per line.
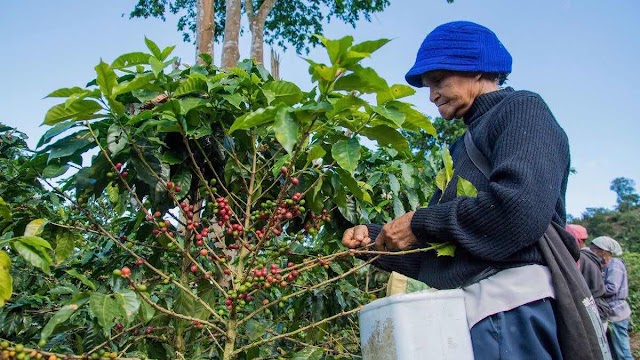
point(454, 92)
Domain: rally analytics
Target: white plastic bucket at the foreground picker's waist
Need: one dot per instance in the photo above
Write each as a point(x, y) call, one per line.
point(422, 325)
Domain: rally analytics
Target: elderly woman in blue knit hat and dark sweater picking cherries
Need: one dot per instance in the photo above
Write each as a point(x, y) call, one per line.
point(507, 287)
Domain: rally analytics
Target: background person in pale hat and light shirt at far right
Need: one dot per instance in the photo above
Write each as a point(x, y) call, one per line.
point(616, 293)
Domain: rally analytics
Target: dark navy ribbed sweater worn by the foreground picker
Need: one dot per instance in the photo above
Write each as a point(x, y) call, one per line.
point(529, 155)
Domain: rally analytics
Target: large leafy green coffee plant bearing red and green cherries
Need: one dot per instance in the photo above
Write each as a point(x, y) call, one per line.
point(204, 211)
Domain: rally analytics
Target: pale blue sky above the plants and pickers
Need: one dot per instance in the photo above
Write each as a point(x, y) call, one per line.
point(581, 56)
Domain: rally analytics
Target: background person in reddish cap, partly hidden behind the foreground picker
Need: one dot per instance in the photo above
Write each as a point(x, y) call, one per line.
point(591, 267)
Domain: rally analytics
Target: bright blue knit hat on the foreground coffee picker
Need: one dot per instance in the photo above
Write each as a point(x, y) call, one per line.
point(460, 46)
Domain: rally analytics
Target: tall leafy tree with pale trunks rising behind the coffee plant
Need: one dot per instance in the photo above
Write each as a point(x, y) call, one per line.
point(283, 23)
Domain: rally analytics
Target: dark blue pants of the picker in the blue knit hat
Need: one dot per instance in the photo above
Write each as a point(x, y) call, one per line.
point(526, 332)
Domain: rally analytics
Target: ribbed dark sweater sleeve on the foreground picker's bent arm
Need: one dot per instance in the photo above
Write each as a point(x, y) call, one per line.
point(530, 159)
